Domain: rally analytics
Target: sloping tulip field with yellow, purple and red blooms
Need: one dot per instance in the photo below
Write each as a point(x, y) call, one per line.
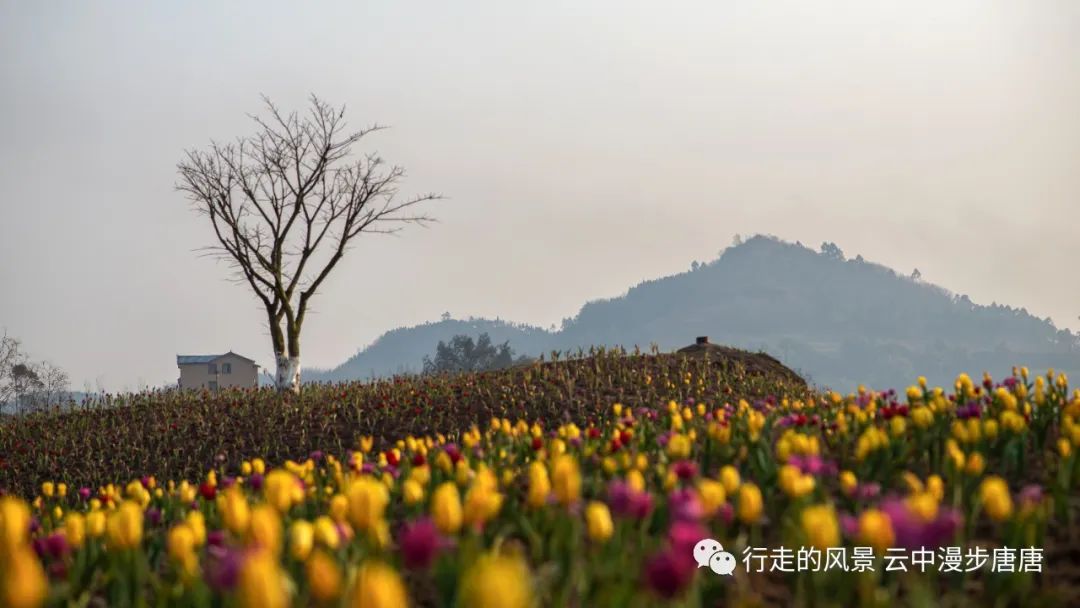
point(585, 482)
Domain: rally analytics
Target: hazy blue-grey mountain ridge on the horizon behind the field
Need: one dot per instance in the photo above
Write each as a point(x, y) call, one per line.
point(839, 321)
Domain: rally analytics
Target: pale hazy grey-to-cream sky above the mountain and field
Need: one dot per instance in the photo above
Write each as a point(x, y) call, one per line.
point(583, 146)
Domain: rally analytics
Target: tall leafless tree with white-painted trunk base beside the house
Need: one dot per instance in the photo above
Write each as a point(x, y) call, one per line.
point(287, 204)
